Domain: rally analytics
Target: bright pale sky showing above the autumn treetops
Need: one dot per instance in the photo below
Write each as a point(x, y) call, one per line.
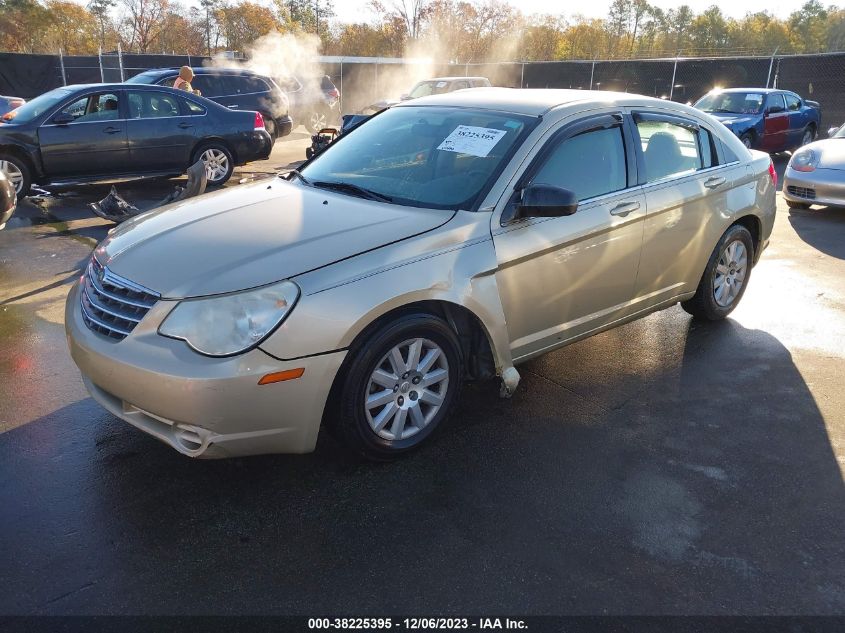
point(358, 11)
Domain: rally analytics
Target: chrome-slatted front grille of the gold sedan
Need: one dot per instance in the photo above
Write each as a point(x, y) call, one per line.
point(111, 305)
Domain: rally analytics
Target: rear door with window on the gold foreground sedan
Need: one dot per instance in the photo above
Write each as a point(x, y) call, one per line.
point(689, 190)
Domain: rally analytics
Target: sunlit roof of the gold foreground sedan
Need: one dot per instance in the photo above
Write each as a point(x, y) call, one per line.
point(530, 101)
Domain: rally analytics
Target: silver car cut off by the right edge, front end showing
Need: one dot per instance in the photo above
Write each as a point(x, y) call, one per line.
point(816, 173)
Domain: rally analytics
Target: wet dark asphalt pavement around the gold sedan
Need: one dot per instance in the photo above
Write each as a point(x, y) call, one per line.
point(665, 467)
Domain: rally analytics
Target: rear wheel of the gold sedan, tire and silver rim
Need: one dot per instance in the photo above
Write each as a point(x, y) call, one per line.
point(725, 278)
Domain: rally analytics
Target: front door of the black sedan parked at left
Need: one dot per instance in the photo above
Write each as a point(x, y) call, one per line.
point(90, 139)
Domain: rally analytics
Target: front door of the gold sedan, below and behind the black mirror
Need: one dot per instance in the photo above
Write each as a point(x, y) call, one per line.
point(563, 277)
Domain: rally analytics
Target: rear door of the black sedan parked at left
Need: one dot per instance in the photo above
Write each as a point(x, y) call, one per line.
point(160, 131)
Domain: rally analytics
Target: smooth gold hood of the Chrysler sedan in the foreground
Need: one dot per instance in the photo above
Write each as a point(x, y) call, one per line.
point(253, 235)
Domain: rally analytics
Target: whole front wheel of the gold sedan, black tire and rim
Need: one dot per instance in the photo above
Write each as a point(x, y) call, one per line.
point(398, 386)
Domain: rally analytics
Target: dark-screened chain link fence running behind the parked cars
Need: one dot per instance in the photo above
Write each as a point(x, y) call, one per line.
point(364, 81)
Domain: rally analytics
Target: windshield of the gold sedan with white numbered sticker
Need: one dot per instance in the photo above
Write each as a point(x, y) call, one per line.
point(424, 156)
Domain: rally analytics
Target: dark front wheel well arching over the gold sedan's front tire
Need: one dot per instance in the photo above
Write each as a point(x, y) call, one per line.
point(472, 335)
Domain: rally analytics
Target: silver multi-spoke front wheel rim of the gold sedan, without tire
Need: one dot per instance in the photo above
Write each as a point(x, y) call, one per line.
point(406, 389)
